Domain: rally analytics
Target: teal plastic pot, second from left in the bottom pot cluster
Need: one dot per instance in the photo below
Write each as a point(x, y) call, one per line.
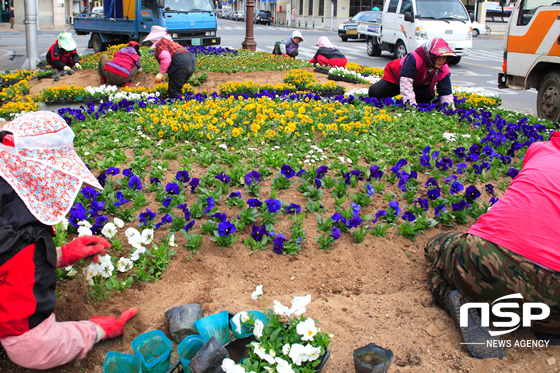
point(154, 351)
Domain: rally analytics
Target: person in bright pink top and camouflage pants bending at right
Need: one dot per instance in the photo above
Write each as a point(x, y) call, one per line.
point(511, 249)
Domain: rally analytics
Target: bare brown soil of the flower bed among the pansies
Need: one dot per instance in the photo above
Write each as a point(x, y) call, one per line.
point(375, 291)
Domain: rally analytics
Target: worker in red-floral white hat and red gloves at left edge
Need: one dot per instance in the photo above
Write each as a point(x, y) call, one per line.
point(40, 176)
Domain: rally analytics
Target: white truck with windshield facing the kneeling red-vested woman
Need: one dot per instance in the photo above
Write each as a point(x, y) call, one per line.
point(407, 24)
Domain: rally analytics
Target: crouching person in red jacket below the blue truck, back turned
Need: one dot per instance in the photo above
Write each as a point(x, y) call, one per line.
point(124, 66)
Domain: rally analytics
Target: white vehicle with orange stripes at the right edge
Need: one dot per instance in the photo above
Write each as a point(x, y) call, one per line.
point(532, 54)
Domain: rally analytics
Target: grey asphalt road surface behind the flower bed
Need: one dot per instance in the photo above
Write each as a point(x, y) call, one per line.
point(480, 69)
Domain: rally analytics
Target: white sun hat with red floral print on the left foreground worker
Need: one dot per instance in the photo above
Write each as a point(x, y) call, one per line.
point(41, 165)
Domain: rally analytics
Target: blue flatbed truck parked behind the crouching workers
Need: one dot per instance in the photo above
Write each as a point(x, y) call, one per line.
point(188, 22)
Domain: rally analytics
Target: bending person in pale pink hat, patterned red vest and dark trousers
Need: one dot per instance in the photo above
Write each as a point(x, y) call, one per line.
point(173, 59)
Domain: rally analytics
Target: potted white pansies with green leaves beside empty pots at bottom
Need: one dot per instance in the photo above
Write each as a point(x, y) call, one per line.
point(284, 344)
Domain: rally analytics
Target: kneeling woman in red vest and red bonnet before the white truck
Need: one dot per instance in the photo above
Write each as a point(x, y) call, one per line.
point(416, 75)
